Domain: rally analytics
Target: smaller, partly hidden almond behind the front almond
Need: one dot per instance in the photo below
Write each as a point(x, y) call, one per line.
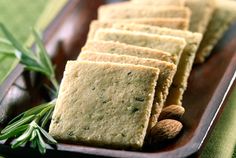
point(172, 112)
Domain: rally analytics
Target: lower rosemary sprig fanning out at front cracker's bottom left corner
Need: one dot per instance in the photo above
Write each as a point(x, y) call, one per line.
point(28, 126)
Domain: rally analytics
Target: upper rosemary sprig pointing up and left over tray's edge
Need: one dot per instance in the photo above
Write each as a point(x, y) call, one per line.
point(38, 61)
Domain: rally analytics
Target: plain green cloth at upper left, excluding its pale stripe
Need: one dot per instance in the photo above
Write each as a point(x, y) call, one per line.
point(19, 17)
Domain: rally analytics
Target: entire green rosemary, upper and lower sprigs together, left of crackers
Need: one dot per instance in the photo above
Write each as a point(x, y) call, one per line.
point(29, 125)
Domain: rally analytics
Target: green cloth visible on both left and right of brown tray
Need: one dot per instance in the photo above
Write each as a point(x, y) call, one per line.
point(20, 15)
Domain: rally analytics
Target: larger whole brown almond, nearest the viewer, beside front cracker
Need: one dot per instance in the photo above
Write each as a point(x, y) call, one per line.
point(165, 130)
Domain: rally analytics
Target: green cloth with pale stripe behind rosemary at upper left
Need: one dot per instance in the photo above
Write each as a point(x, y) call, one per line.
point(19, 17)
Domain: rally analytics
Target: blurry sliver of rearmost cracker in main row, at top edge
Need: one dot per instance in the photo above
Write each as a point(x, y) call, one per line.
point(161, 2)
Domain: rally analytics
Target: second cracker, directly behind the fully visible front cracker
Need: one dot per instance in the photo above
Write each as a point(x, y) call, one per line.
point(167, 72)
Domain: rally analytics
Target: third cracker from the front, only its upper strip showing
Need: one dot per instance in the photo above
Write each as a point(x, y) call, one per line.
point(126, 49)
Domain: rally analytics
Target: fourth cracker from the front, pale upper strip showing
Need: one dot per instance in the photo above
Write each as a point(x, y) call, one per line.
point(170, 44)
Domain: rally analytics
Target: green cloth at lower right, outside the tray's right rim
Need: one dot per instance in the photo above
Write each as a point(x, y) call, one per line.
point(223, 138)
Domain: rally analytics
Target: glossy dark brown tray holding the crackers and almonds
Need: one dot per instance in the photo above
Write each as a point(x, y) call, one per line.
point(209, 85)
